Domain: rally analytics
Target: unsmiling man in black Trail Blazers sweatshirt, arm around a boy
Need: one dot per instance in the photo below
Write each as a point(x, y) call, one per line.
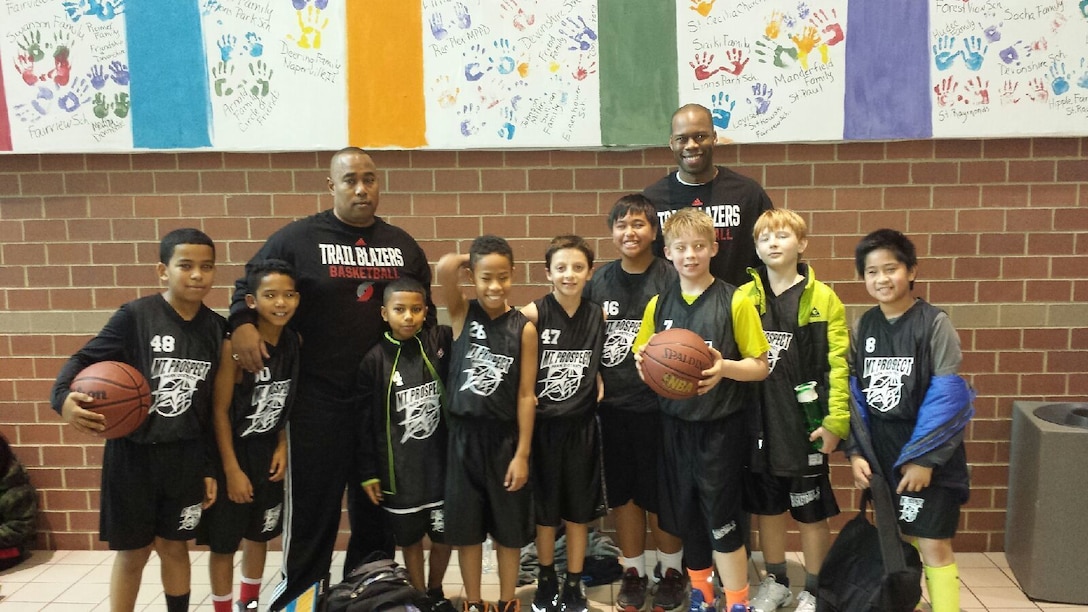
point(344, 258)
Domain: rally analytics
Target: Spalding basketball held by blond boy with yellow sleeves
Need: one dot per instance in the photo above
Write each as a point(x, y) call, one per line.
point(674, 362)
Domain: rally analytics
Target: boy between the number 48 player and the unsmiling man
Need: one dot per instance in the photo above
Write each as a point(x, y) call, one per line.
point(249, 419)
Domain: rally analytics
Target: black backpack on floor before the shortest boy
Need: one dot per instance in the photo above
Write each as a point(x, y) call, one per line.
point(377, 585)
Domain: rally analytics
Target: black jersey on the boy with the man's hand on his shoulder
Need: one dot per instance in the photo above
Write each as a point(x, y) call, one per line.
point(263, 402)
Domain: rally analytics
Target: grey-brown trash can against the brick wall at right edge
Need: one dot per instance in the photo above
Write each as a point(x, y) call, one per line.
point(1047, 523)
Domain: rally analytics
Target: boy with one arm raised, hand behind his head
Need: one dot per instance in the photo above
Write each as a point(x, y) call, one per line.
point(493, 376)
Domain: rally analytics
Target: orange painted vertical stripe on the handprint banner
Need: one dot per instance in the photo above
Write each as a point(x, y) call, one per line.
point(386, 75)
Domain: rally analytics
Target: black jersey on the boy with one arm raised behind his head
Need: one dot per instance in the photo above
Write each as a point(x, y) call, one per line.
point(486, 368)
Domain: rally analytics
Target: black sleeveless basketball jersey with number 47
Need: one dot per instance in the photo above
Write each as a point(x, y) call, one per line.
point(570, 351)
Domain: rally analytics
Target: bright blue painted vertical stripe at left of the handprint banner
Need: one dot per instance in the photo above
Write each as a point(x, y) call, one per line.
point(169, 87)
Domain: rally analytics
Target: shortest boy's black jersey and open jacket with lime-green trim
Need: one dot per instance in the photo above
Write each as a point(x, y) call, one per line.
point(403, 395)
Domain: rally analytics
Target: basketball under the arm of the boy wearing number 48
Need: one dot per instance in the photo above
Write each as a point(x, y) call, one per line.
point(121, 394)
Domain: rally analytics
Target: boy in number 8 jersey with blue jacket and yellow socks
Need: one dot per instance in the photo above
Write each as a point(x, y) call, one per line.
point(904, 377)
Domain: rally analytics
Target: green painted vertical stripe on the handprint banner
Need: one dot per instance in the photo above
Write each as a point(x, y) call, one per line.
point(639, 90)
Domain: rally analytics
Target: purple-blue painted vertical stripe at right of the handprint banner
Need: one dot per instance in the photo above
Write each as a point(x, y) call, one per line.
point(888, 71)
